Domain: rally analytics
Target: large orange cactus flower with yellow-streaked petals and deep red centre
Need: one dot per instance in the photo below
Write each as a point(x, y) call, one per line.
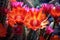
point(33, 19)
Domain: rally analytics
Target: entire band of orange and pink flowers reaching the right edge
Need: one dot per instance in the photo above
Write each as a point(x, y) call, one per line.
point(31, 17)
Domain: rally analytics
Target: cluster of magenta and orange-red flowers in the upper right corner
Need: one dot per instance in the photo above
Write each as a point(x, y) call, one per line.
point(54, 11)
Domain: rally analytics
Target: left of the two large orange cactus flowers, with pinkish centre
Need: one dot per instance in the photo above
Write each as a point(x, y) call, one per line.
point(15, 15)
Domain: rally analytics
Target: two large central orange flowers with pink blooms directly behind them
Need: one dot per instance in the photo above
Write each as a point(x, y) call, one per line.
point(31, 17)
